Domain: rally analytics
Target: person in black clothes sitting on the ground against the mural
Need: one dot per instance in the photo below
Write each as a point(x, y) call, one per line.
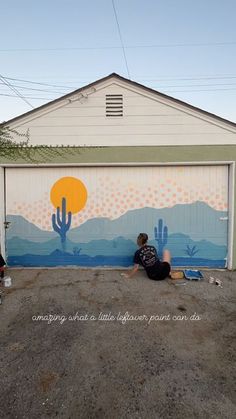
point(147, 257)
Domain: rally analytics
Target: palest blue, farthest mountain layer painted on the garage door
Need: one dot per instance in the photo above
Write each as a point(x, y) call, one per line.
point(198, 221)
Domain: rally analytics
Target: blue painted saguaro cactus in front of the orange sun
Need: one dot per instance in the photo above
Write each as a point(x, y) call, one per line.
point(59, 223)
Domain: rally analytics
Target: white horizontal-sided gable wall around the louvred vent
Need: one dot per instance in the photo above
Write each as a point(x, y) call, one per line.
point(148, 120)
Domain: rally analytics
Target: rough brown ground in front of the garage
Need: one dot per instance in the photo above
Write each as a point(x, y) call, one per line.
point(167, 352)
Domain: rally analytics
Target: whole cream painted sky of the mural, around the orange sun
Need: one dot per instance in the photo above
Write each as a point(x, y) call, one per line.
point(111, 193)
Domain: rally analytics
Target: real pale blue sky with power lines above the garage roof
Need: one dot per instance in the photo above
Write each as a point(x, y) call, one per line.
point(183, 48)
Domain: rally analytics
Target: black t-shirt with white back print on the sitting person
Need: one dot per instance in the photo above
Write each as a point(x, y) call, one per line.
point(147, 257)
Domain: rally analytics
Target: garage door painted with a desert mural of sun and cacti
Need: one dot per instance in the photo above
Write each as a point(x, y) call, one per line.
point(91, 216)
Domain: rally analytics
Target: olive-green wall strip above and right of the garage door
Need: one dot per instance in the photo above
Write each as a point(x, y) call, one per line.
point(148, 155)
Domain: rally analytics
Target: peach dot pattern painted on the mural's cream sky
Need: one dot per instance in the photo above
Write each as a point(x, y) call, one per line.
point(112, 196)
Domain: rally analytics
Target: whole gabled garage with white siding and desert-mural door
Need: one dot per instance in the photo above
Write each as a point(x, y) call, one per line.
point(122, 159)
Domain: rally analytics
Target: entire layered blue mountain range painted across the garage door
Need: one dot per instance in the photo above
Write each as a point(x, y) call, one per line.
point(196, 237)
